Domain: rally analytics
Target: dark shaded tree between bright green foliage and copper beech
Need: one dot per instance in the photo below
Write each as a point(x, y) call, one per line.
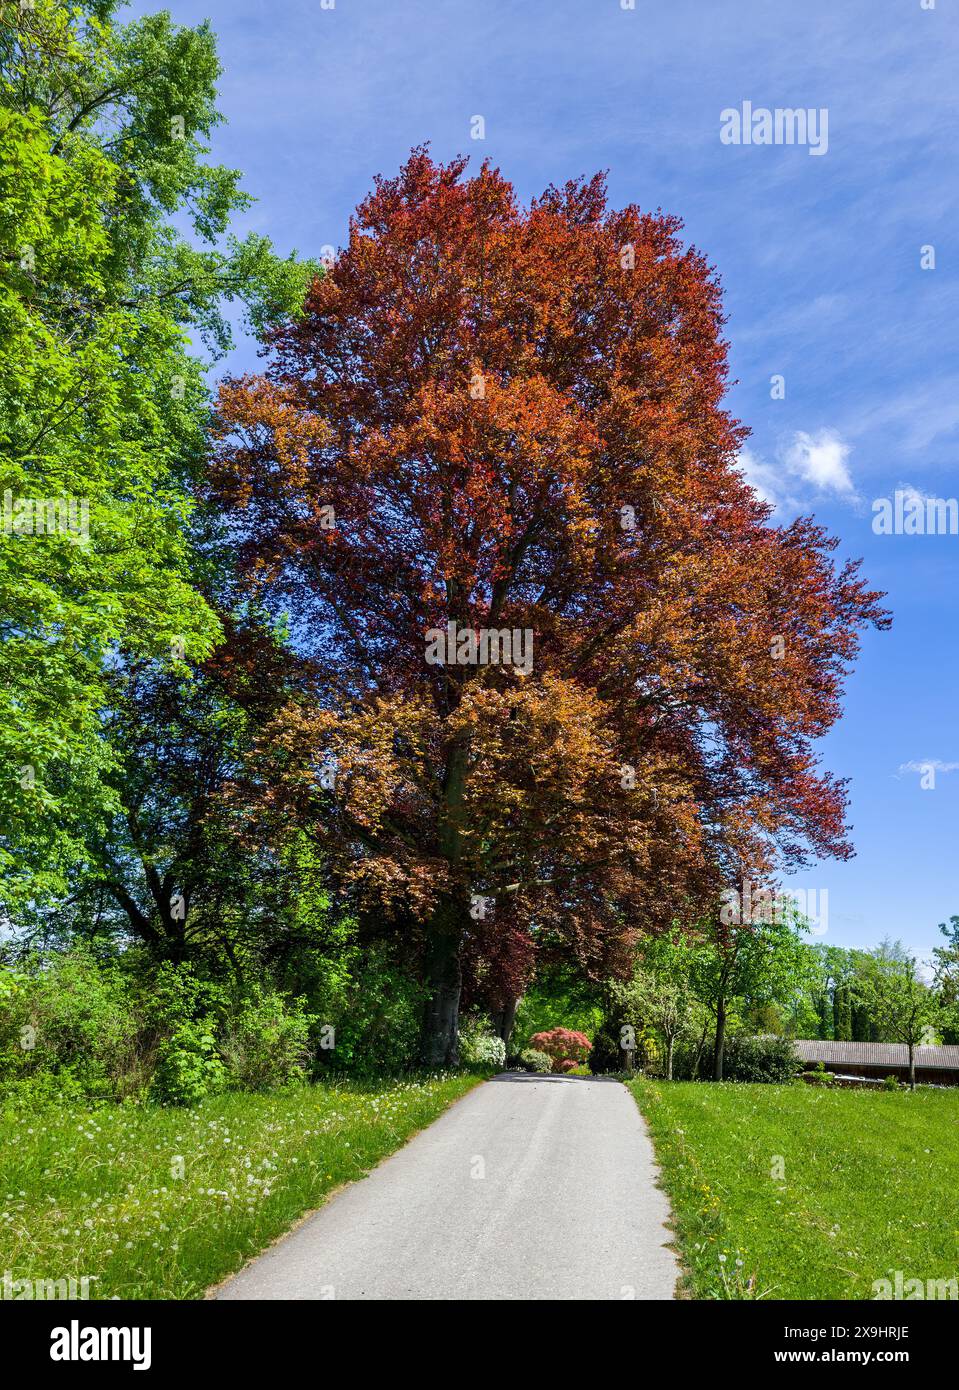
point(169, 867)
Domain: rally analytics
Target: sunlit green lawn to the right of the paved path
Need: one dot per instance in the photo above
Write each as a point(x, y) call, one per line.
point(868, 1185)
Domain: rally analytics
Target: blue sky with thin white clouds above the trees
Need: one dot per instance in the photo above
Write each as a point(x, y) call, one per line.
point(819, 258)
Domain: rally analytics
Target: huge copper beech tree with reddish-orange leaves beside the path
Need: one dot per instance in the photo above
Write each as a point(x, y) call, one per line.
point(565, 673)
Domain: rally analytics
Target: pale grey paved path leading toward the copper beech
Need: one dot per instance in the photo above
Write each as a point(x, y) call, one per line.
point(530, 1188)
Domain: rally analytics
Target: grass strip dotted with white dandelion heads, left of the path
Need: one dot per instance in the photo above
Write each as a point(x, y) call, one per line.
point(97, 1192)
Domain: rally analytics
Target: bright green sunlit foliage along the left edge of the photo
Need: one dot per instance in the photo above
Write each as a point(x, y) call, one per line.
point(104, 133)
